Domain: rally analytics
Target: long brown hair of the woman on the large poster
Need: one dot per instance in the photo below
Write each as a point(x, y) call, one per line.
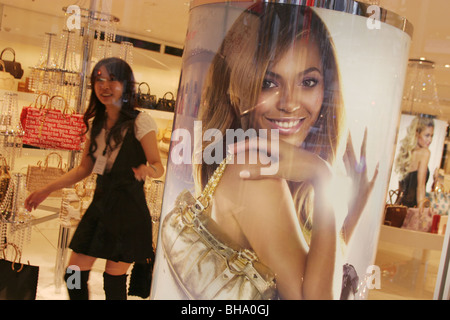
point(259, 37)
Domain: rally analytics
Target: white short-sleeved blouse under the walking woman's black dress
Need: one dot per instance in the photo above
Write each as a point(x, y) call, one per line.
point(144, 124)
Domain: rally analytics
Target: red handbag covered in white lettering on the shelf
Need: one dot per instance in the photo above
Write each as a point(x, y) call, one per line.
point(52, 128)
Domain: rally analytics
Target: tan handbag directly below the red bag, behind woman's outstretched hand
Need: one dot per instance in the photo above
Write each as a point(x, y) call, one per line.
point(42, 174)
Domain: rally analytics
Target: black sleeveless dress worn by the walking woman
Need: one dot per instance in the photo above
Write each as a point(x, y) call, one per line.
point(117, 225)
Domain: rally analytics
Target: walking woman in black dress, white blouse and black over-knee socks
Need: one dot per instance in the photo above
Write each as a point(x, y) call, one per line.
point(121, 148)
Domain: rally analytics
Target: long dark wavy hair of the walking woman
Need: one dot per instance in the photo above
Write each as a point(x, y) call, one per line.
point(122, 72)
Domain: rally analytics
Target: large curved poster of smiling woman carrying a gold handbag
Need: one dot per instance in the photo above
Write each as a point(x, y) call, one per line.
point(281, 151)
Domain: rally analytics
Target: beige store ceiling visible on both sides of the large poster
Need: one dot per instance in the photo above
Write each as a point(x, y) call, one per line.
point(165, 21)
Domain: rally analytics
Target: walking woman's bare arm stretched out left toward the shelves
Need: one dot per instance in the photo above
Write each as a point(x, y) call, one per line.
point(70, 178)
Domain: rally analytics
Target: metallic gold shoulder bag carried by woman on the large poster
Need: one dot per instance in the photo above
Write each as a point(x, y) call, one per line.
point(204, 263)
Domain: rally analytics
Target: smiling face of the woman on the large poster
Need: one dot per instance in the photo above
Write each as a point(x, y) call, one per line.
point(292, 93)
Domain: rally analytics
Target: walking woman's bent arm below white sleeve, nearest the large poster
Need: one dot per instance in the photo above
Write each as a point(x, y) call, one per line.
point(154, 167)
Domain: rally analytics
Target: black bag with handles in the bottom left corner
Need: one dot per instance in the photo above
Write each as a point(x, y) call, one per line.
point(18, 281)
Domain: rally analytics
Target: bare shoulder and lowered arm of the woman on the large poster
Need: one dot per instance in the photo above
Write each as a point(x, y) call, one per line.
point(266, 214)
